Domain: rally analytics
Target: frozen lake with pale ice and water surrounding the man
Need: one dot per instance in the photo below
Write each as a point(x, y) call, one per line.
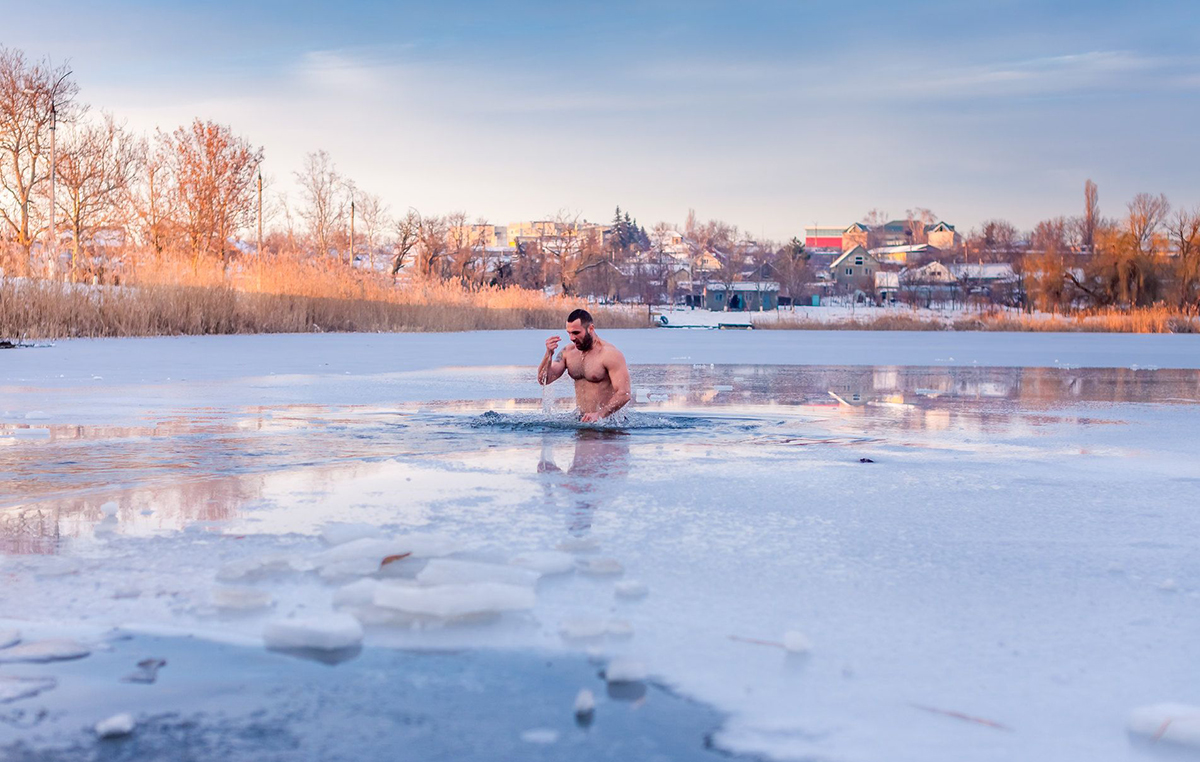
point(1013, 569)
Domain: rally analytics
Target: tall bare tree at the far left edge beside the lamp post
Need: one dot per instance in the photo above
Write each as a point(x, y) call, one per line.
point(33, 97)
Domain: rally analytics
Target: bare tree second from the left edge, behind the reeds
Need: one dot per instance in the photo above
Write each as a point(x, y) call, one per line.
point(99, 164)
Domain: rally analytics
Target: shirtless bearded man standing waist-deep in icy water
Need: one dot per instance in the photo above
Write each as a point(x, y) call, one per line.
point(602, 377)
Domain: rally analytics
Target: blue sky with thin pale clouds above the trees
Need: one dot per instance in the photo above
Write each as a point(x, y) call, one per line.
point(771, 116)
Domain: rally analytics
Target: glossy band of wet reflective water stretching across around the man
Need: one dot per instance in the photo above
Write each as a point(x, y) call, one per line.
point(185, 465)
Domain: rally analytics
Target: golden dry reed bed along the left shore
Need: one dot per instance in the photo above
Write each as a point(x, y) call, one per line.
point(279, 297)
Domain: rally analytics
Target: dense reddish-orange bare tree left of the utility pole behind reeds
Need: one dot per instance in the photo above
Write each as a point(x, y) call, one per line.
point(214, 178)
